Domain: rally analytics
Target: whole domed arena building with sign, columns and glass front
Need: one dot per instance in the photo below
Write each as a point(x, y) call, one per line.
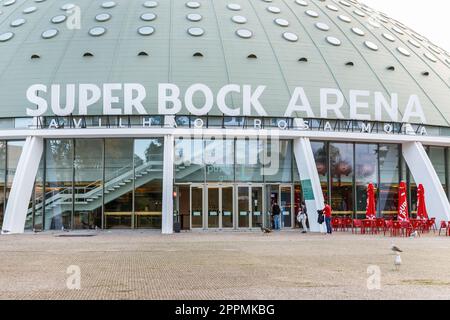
point(138, 114)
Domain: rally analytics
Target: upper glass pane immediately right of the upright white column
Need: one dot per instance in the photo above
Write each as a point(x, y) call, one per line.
point(189, 165)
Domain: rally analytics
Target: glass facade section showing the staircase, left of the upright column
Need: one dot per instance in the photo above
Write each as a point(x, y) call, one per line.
point(98, 183)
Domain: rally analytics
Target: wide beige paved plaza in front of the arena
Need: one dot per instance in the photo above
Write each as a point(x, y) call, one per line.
point(231, 265)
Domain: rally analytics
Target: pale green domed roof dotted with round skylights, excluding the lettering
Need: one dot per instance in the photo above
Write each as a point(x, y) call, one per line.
point(281, 44)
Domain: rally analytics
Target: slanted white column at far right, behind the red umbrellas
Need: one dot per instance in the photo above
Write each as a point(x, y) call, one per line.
point(423, 172)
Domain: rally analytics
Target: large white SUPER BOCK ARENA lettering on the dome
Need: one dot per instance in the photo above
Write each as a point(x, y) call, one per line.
point(128, 99)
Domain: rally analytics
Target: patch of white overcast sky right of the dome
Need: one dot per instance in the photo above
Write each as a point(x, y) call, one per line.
point(431, 18)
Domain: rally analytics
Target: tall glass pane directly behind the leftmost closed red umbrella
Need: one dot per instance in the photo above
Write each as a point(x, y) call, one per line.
point(366, 158)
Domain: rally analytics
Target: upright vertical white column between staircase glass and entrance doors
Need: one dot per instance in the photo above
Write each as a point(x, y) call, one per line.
point(167, 202)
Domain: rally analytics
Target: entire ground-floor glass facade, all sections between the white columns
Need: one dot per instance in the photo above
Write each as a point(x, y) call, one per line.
point(117, 183)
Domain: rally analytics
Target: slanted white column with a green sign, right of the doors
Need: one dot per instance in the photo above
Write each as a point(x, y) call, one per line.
point(312, 190)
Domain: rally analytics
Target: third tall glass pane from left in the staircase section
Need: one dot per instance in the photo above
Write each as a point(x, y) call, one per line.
point(118, 186)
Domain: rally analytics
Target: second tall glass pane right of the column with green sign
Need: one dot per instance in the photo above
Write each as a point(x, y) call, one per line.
point(342, 170)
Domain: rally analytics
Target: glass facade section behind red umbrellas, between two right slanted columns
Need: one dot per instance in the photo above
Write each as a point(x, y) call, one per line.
point(350, 168)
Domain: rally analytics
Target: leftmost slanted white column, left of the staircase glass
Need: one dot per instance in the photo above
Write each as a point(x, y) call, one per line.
point(22, 187)
